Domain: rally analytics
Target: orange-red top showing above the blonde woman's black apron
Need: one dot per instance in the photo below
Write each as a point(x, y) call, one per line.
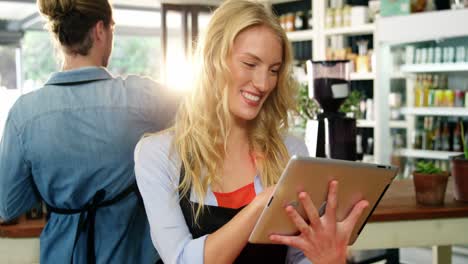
point(237, 198)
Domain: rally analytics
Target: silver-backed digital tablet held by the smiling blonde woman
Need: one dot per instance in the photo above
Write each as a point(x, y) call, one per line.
point(356, 181)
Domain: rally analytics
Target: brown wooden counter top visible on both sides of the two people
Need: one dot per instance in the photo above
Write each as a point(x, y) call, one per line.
point(399, 203)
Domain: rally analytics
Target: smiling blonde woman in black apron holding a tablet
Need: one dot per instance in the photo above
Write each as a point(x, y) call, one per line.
point(205, 181)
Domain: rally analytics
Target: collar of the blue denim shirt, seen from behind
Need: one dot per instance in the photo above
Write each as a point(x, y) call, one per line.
point(85, 74)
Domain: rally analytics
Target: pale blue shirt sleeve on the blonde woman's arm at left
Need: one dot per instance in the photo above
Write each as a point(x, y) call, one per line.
point(157, 179)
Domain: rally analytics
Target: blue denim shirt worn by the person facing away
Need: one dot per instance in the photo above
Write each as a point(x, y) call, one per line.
point(72, 137)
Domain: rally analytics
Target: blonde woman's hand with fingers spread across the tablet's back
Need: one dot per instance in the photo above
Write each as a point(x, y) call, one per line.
point(323, 240)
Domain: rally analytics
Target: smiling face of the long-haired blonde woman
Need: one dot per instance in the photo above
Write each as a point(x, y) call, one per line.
point(254, 63)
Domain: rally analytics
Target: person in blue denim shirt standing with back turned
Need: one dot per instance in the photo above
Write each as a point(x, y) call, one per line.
point(71, 144)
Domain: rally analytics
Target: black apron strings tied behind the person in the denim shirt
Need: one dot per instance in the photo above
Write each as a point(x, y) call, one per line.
point(88, 217)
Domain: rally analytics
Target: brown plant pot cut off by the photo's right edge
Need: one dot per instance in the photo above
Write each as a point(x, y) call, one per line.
point(460, 178)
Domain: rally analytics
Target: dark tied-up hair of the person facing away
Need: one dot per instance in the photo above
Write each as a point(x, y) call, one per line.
point(71, 21)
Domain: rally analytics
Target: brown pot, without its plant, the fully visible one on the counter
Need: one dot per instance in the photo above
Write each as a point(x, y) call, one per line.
point(430, 188)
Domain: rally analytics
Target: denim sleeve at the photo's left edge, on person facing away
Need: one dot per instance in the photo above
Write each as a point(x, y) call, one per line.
point(16, 184)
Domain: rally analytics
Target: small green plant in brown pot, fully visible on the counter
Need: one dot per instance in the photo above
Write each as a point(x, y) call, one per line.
point(430, 183)
